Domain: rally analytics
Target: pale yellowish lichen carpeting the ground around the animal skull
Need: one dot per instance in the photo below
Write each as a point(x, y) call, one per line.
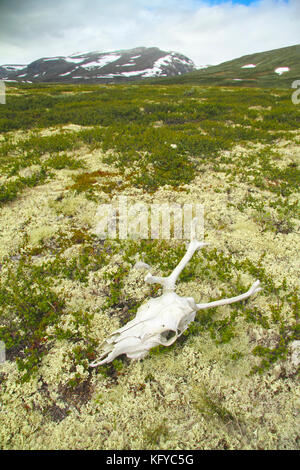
point(199, 395)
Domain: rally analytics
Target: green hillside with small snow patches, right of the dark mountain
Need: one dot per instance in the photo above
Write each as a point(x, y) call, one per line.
point(277, 68)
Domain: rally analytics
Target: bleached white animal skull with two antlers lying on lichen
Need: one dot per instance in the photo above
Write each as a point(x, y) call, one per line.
point(161, 320)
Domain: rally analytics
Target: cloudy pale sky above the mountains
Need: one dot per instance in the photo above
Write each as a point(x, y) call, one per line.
point(208, 32)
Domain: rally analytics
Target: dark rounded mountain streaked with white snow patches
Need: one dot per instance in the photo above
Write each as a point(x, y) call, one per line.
point(101, 67)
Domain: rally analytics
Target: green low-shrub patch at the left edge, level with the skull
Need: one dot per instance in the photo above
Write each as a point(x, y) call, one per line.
point(28, 305)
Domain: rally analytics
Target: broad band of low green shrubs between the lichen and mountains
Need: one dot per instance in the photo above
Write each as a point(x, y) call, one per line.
point(125, 117)
